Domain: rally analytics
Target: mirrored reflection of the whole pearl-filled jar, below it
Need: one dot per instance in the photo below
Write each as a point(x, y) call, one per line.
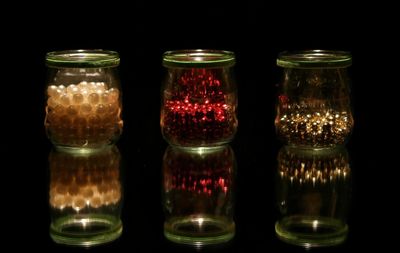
point(85, 197)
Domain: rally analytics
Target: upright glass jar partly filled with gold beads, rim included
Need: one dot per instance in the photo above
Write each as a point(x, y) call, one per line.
point(314, 103)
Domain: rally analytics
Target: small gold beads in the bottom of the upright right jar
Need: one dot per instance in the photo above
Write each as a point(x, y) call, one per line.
point(325, 127)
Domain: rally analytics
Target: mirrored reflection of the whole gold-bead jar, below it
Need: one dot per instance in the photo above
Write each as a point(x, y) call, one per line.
point(313, 195)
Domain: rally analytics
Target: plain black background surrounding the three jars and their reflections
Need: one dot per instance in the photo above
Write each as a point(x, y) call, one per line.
point(141, 32)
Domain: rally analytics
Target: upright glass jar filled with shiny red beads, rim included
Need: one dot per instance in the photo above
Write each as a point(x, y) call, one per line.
point(199, 99)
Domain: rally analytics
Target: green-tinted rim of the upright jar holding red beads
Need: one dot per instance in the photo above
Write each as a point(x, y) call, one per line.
point(198, 58)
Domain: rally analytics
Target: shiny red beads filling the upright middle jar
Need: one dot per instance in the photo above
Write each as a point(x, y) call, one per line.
point(198, 110)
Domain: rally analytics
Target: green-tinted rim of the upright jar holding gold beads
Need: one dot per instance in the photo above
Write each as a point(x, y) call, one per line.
point(314, 59)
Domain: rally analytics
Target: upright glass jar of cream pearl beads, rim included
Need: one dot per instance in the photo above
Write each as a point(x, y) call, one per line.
point(83, 99)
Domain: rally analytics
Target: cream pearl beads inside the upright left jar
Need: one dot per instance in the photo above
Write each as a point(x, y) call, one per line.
point(86, 114)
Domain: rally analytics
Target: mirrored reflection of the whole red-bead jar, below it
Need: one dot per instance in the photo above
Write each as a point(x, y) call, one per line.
point(198, 195)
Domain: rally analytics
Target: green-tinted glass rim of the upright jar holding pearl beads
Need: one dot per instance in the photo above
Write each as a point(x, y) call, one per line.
point(82, 59)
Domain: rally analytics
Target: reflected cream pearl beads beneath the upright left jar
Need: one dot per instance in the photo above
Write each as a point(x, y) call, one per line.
point(80, 182)
